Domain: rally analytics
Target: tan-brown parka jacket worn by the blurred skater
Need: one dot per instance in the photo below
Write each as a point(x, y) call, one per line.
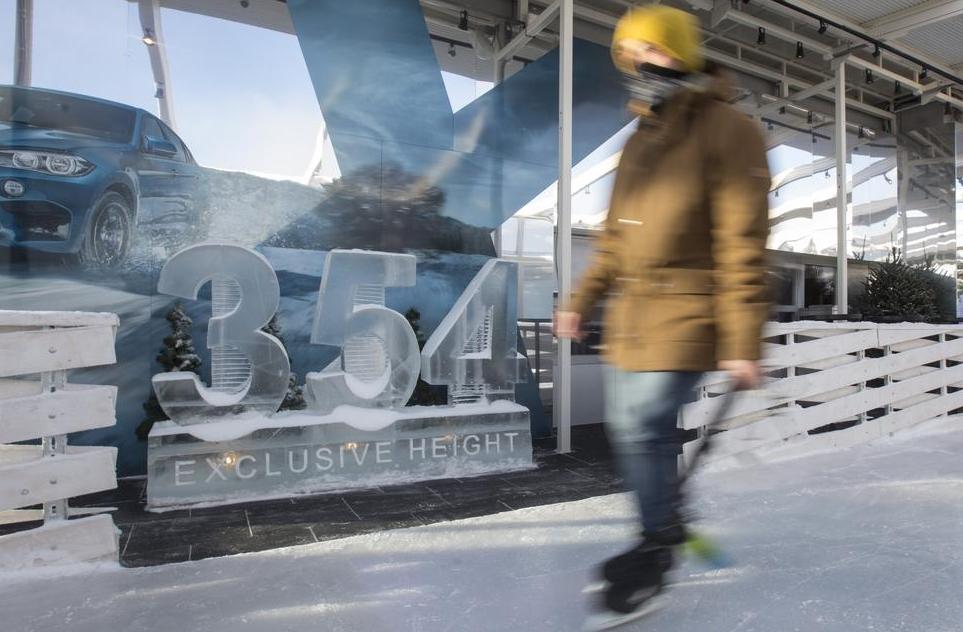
point(682, 254)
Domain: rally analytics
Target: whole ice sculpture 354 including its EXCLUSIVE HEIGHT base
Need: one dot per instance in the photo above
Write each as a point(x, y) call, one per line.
point(224, 441)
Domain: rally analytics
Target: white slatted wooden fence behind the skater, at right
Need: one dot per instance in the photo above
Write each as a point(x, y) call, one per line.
point(871, 380)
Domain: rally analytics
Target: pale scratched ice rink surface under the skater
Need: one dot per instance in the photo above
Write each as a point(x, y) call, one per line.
point(869, 538)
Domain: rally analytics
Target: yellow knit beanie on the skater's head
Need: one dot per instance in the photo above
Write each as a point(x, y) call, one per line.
point(675, 32)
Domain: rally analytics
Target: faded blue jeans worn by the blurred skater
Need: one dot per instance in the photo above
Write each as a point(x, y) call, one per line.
point(641, 415)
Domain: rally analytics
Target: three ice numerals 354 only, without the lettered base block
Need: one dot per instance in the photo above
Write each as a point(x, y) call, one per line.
point(473, 351)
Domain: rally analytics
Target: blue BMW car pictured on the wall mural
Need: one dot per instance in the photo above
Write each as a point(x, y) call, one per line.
point(77, 174)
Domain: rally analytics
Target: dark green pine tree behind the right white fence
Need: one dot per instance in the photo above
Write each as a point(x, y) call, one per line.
point(897, 291)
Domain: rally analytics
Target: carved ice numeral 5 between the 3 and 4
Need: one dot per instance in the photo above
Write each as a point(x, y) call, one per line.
point(379, 362)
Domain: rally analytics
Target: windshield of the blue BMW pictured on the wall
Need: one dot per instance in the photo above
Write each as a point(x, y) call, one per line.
point(36, 108)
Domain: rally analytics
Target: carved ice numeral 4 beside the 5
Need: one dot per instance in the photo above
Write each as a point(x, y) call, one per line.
point(474, 351)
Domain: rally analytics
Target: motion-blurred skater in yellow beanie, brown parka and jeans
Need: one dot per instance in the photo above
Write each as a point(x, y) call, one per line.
point(681, 259)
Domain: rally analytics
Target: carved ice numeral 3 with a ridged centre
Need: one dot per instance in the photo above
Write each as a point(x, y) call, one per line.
point(250, 368)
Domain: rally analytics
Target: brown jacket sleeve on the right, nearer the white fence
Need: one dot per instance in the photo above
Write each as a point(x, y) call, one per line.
point(740, 225)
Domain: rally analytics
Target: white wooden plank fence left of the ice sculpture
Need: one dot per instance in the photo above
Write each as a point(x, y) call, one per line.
point(36, 402)
